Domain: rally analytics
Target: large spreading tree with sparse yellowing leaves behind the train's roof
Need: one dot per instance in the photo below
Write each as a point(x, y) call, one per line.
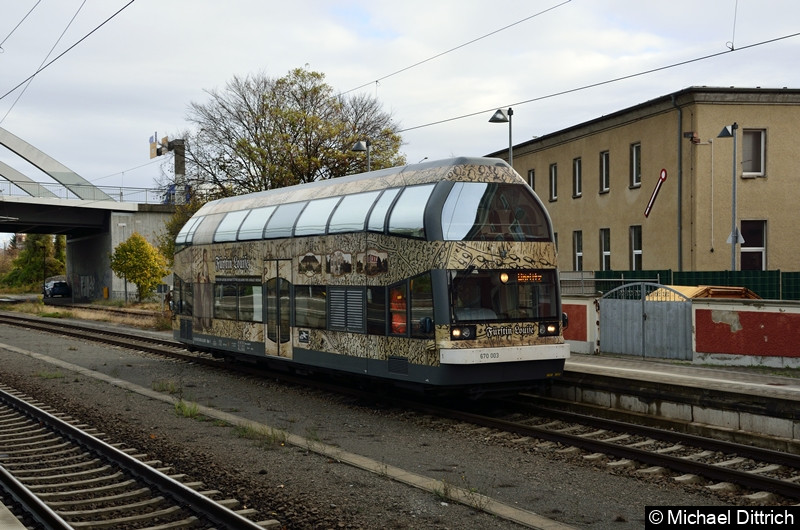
point(261, 133)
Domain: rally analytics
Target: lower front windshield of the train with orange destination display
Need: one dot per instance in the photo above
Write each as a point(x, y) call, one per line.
point(503, 295)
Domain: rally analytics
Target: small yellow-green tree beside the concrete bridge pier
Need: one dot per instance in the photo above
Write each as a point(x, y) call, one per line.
point(140, 263)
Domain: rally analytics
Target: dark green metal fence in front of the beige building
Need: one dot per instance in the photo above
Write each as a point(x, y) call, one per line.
point(770, 285)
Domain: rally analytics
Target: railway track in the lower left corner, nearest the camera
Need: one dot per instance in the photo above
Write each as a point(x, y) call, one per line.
point(64, 477)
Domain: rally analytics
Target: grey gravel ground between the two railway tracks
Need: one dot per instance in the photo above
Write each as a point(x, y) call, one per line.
point(304, 490)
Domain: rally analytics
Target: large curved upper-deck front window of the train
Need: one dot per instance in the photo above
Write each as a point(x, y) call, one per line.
point(504, 212)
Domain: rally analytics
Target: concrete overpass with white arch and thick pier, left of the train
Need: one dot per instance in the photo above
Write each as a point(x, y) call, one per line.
point(94, 219)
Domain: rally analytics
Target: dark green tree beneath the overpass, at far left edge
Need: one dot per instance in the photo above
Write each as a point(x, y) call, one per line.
point(35, 262)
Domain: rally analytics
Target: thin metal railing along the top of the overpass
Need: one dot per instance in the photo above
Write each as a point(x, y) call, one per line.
point(51, 190)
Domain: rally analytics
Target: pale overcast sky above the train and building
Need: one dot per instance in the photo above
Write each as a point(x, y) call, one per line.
point(95, 107)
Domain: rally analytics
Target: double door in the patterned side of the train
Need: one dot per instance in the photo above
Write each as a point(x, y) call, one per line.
point(277, 320)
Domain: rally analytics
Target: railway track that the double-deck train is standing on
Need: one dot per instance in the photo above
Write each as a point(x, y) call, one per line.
point(756, 473)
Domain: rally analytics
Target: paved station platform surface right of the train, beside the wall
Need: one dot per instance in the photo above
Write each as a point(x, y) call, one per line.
point(752, 381)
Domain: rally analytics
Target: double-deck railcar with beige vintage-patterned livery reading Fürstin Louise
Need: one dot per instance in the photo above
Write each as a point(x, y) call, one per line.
point(438, 275)
